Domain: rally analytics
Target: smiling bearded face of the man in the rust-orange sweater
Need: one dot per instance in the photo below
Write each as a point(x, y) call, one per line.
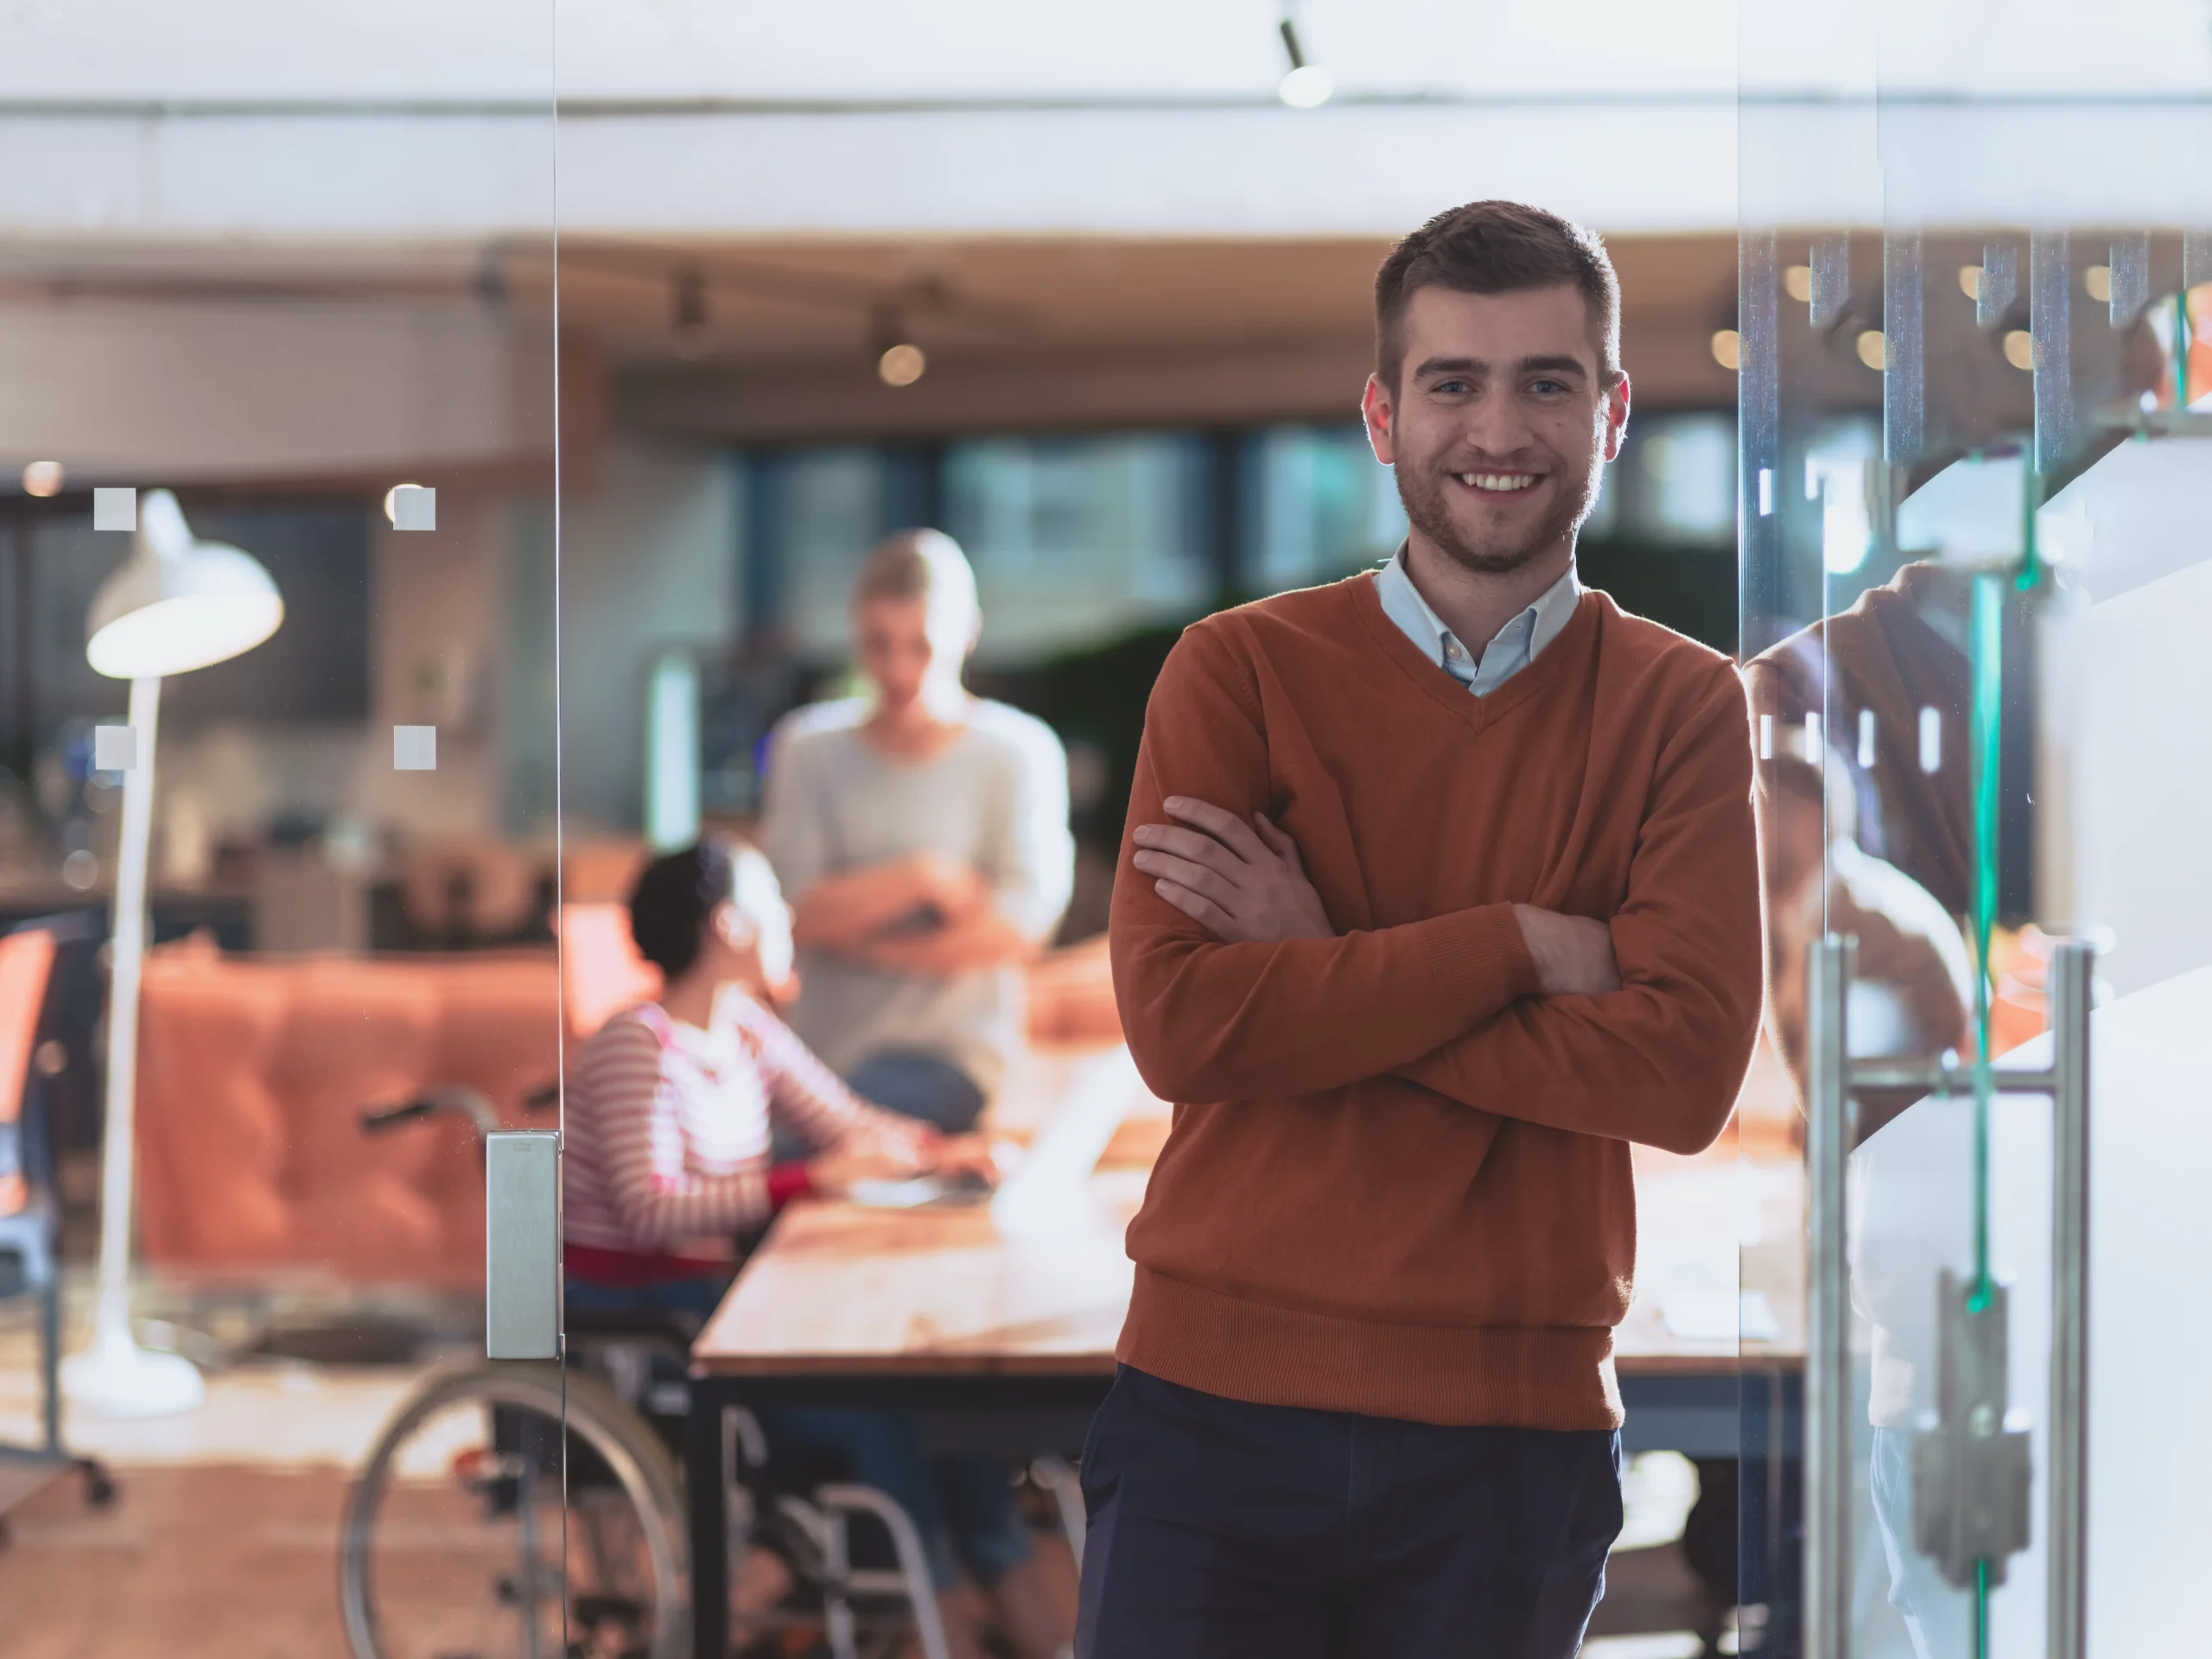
point(1501, 421)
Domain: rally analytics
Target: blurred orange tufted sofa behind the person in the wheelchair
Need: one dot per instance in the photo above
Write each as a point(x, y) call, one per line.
point(253, 1074)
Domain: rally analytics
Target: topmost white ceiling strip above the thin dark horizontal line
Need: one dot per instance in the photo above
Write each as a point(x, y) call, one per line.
point(963, 50)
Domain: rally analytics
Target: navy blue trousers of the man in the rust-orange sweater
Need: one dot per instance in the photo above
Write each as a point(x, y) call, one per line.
point(1258, 1532)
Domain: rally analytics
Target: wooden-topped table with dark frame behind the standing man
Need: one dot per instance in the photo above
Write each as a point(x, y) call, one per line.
point(1005, 1344)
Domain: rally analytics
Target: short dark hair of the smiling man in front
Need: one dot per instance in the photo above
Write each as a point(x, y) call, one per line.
point(1499, 249)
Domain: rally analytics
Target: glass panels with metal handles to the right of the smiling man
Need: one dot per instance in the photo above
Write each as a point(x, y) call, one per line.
point(1974, 466)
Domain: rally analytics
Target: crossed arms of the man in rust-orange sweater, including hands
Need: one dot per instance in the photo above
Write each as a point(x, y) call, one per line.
point(1235, 983)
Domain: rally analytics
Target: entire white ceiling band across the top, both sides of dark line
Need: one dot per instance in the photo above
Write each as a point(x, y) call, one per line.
point(1138, 118)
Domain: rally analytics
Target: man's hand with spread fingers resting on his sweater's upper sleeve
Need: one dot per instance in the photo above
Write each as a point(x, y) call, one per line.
point(1240, 881)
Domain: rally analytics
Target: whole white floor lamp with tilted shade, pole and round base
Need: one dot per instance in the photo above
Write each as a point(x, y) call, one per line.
point(174, 607)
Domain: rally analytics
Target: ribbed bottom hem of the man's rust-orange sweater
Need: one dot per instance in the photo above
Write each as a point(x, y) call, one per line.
point(1512, 1377)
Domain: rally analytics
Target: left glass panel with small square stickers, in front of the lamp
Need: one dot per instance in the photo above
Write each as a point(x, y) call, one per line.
point(278, 820)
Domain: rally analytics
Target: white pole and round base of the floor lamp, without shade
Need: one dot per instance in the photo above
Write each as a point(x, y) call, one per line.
point(116, 1377)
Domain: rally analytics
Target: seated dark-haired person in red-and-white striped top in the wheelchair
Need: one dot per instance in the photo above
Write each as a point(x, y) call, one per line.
point(667, 1162)
